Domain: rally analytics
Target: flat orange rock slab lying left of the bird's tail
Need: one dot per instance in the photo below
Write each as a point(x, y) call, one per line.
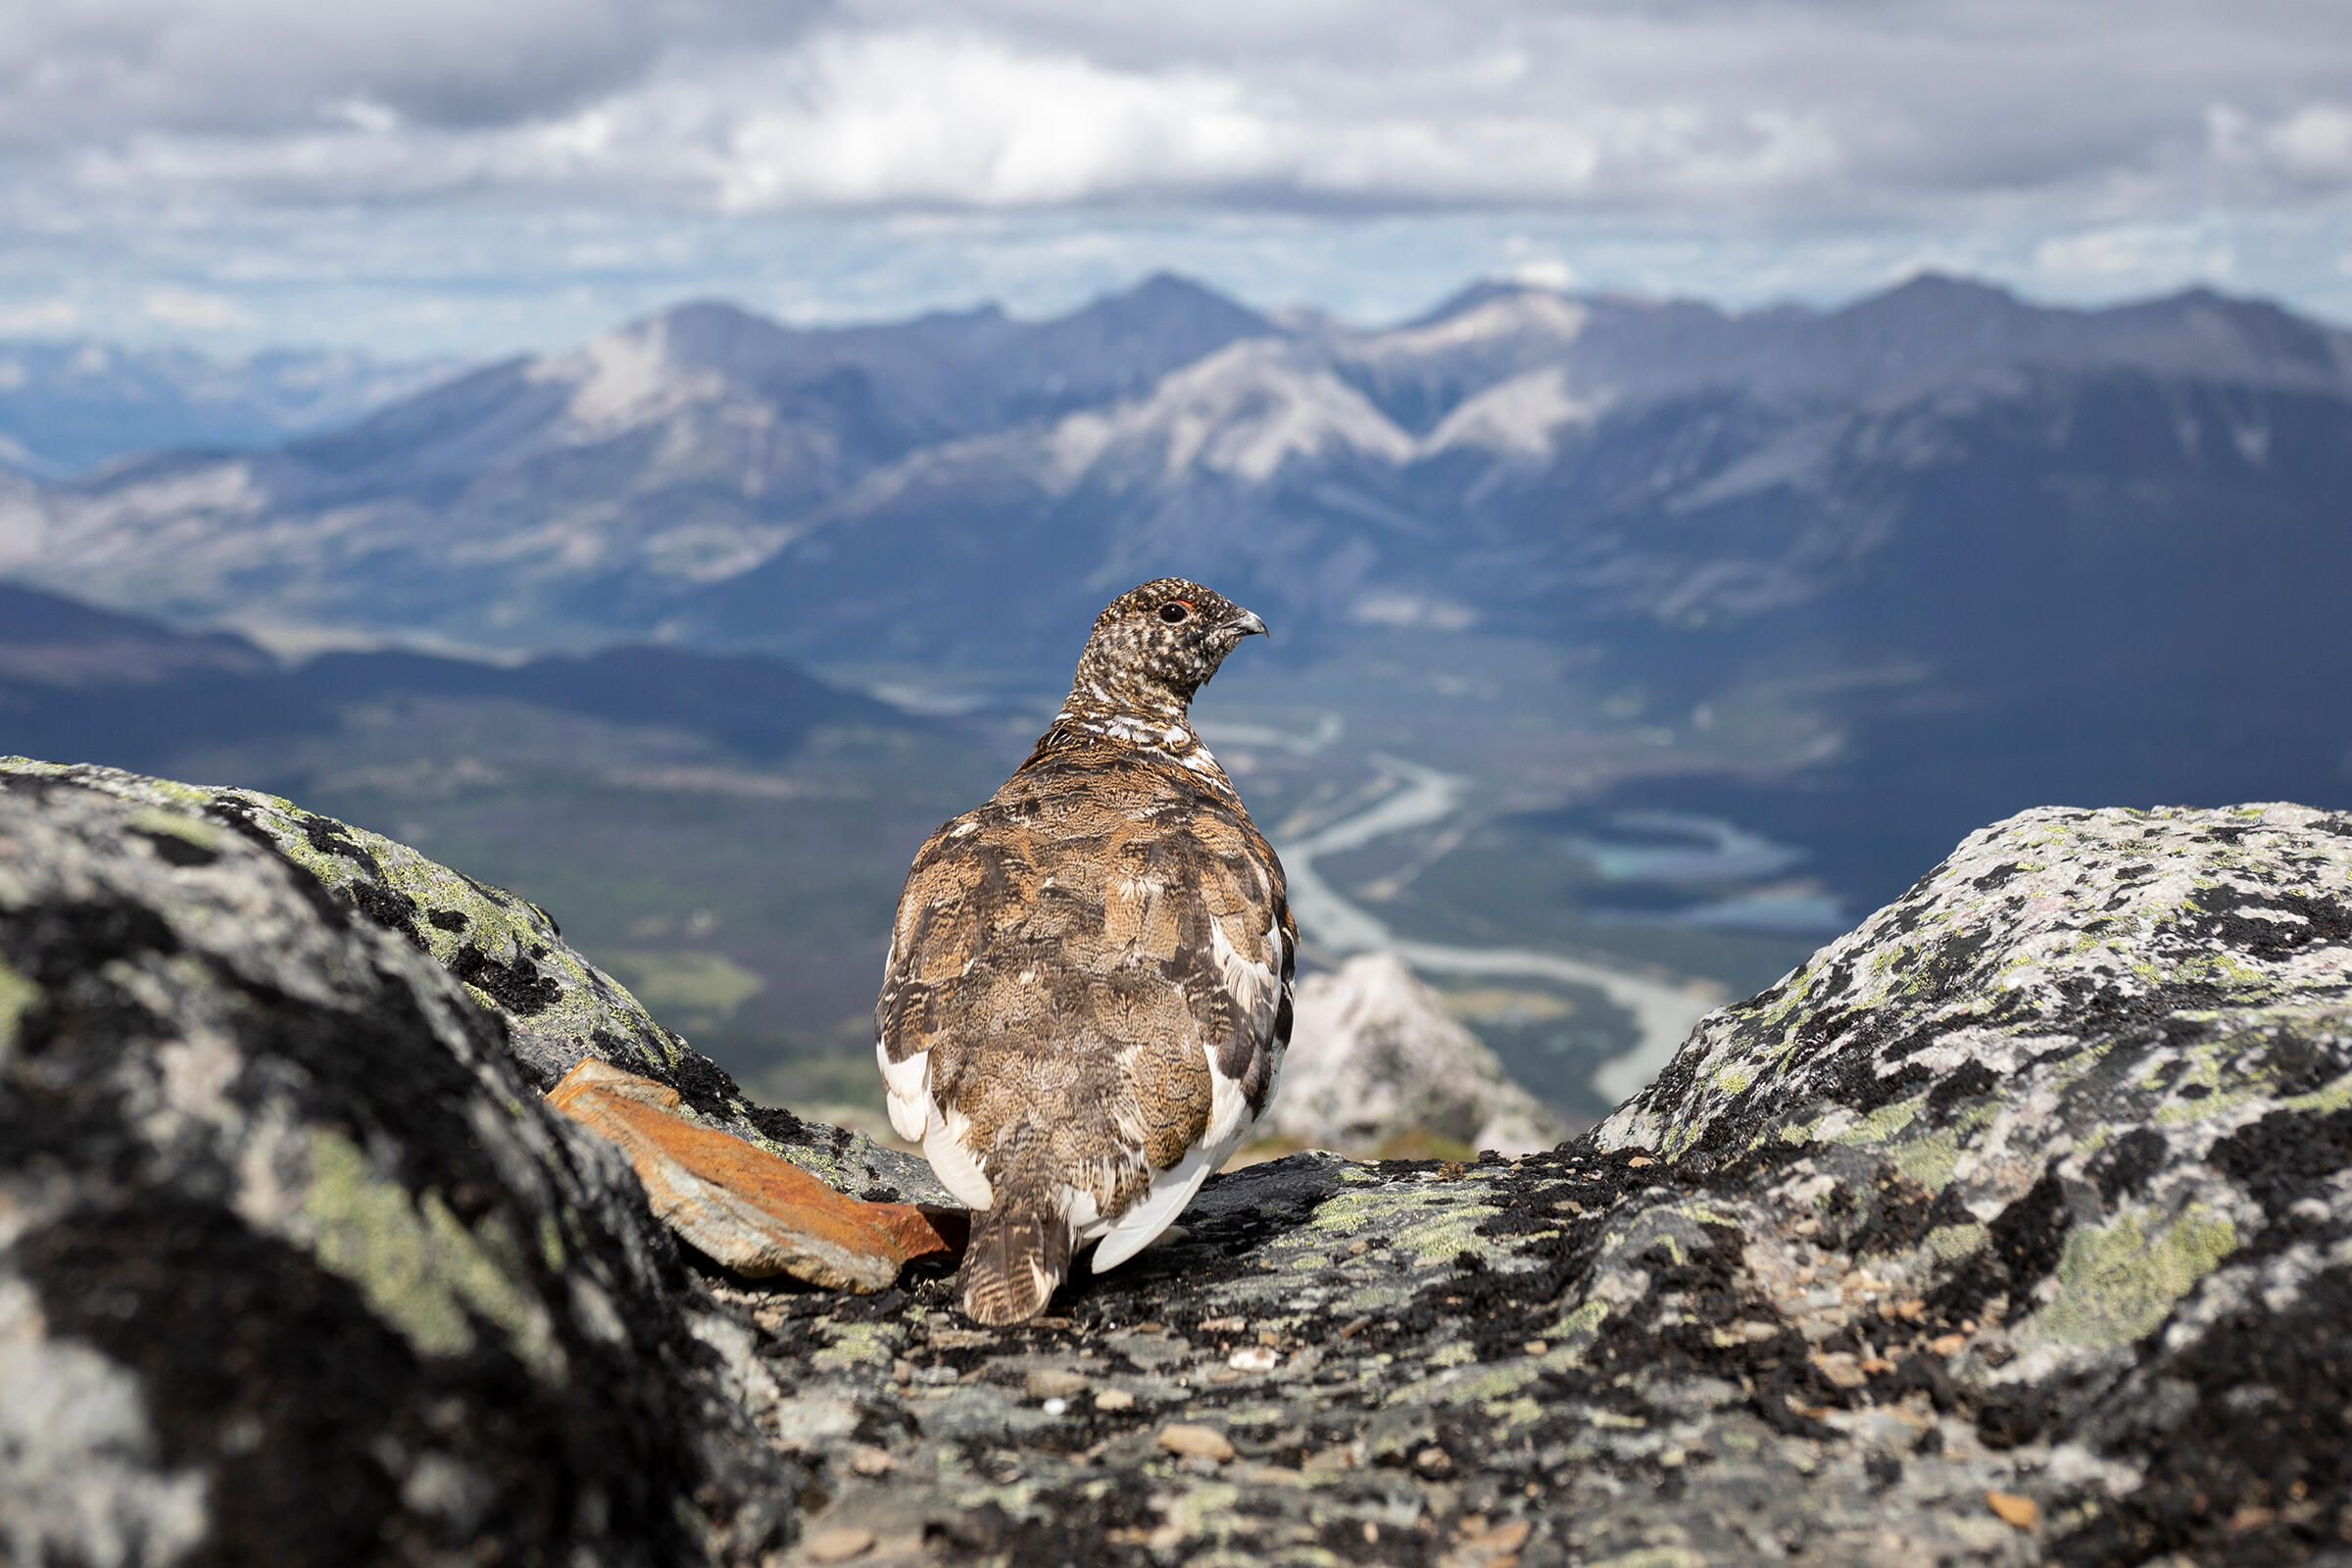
point(749, 1209)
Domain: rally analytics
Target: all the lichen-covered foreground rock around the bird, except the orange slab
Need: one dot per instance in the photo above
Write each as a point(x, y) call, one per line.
point(2012, 1228)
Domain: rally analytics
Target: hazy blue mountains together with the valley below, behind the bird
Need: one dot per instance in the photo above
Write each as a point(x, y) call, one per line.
point(1728, 626)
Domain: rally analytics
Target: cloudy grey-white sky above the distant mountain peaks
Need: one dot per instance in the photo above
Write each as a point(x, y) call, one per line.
point(462, 177)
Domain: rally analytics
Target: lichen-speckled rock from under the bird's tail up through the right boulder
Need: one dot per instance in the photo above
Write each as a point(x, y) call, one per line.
point(2012, 1228)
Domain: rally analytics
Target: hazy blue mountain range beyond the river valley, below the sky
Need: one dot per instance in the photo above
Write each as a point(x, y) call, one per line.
point(1993, 554)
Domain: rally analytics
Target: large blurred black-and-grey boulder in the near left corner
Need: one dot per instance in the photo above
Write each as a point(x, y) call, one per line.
point(293, 1266)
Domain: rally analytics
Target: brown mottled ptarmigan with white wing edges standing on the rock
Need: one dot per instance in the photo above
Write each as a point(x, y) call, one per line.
point(1090, 979)
